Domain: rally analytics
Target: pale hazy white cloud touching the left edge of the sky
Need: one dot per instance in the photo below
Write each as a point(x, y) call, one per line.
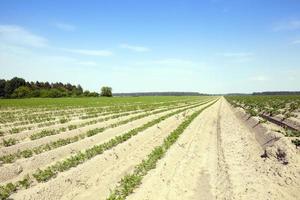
point(17, 35)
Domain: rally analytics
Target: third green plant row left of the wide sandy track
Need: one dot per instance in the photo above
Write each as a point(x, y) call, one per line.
point(62, 142)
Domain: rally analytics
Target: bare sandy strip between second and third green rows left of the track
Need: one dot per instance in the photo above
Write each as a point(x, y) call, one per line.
point(18, 169)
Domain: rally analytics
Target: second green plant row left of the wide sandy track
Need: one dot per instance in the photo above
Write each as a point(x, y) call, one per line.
point(79, 158)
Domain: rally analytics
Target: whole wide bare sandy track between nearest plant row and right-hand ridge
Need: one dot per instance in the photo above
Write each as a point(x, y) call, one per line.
point(217, 157)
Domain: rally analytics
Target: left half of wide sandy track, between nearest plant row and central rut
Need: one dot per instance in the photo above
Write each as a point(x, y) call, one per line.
point(189, 168)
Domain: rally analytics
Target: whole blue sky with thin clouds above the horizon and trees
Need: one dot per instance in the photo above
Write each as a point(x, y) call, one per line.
point(211, 46)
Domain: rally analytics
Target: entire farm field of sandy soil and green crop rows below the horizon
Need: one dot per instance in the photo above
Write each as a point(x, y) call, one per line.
point(200, 147)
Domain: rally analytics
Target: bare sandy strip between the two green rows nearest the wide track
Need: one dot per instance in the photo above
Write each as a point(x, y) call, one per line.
point(94, 178)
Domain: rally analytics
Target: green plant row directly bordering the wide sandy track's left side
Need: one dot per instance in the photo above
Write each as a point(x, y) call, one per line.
point(130, 181)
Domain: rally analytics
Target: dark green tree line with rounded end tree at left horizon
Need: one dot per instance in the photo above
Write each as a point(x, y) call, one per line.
point(19, 88)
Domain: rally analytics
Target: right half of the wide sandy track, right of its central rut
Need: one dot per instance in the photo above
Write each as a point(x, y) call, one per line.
point(251, 176)
